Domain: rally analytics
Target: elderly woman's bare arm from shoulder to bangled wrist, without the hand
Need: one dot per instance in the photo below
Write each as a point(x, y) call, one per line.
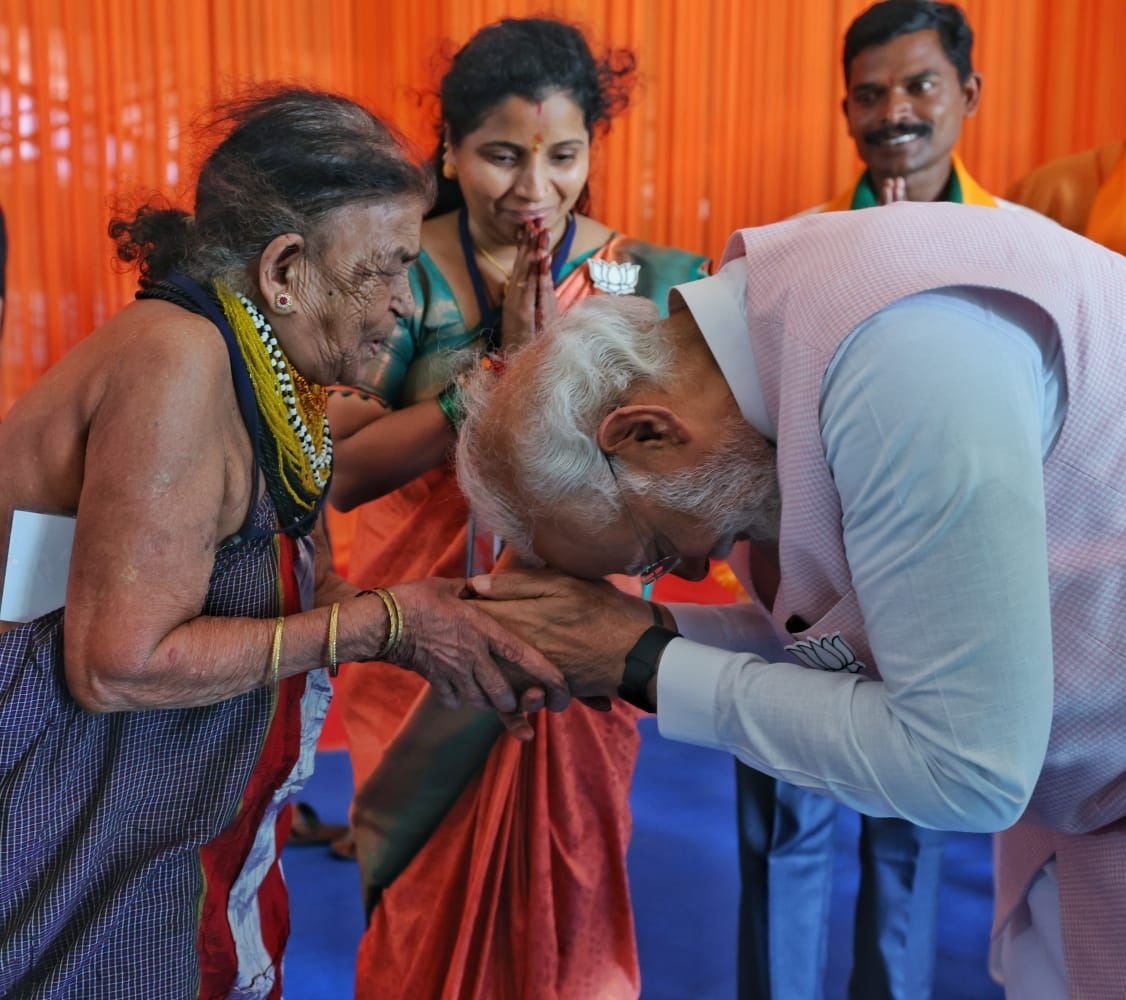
point(166, 478)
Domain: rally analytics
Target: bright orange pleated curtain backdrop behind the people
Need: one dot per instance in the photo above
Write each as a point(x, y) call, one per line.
point(737, 120)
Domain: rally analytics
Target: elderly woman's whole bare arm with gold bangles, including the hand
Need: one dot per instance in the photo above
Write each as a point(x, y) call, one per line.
point(166, 480)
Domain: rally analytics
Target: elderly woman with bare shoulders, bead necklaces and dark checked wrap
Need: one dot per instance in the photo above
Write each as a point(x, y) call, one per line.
point(156, 726)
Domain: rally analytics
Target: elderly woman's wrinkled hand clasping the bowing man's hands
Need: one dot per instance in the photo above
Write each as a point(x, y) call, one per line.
point(460, 650)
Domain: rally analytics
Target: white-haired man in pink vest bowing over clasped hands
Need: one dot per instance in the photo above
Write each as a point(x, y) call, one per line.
point(941, 565)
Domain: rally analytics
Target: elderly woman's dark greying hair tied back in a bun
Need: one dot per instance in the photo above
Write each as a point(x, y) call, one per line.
point(289, 159)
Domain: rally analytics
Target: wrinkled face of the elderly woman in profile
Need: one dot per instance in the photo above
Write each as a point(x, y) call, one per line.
point(356, 285)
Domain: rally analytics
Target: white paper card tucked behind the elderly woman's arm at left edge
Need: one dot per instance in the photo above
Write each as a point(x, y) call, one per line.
point(39, 562)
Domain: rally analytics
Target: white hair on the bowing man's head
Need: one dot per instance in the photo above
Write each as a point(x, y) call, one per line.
point(528, 452)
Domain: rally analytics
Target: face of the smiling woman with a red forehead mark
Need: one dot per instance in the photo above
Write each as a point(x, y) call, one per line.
point(528, 163)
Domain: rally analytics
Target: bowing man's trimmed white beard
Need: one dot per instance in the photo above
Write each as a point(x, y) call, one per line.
point(734, 492)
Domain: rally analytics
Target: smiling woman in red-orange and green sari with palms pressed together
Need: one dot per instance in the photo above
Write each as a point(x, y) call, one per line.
point(506, 251)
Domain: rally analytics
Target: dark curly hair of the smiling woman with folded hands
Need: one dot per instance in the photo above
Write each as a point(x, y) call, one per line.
point(530, 58)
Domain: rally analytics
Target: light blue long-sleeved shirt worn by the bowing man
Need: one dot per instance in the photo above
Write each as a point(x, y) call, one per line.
point(936, 417)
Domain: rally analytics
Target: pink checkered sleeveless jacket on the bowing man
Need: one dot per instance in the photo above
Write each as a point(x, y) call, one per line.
point(837, 271)
